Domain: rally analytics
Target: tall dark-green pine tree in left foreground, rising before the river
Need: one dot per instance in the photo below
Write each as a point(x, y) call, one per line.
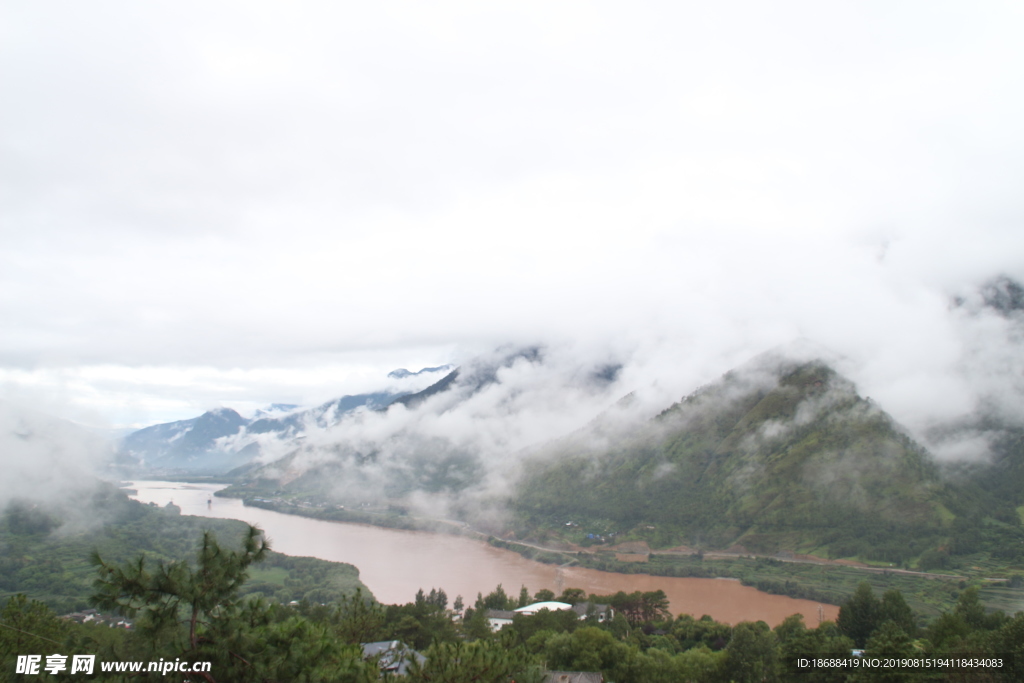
point(193, 612)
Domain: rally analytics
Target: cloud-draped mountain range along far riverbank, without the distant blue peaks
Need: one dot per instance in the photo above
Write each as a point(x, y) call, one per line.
point(783, 453)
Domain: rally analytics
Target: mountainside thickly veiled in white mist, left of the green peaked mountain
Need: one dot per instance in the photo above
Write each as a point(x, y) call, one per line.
point(453, 446)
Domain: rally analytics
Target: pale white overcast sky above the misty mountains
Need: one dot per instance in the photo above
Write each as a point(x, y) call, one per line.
point(244, 203)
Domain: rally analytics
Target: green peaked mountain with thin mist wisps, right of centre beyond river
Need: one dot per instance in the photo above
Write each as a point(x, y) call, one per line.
point(777, 456)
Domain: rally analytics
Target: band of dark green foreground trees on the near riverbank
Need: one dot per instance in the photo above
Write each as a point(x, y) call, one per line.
point(195, 611)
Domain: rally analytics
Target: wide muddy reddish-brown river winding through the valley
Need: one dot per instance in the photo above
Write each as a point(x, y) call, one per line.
point(395, 564)
